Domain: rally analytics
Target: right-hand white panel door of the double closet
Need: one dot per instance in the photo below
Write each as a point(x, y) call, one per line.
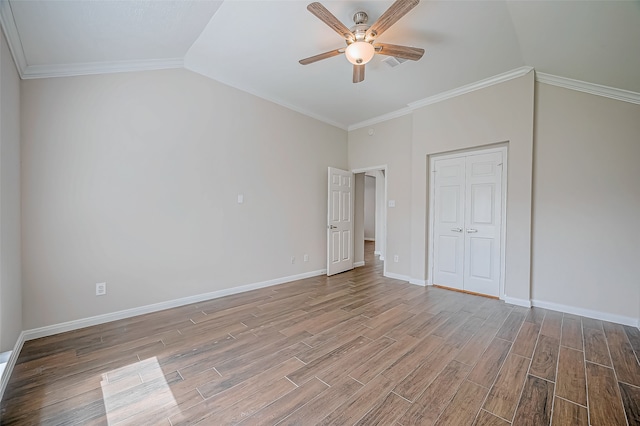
point(483, 216)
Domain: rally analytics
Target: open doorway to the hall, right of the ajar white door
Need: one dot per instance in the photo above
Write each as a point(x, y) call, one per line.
point(370, 212)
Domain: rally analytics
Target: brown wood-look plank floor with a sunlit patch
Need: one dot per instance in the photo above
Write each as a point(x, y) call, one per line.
point(355, 348)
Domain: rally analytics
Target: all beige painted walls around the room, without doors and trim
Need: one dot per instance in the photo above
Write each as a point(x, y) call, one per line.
point(132, 179)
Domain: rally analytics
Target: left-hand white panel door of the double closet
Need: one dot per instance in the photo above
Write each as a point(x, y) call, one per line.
point(449, 223)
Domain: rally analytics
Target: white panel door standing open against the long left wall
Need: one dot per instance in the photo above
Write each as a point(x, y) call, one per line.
point(340, 221)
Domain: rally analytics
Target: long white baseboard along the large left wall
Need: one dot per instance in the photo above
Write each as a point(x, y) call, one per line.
point(128, 313)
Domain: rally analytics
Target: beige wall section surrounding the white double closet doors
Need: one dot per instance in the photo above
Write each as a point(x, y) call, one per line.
point(502, 113)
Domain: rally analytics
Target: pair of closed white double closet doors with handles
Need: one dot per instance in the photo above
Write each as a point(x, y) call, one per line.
point(467, 222)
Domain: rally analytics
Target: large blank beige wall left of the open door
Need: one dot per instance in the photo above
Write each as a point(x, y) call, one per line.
point(132, 179)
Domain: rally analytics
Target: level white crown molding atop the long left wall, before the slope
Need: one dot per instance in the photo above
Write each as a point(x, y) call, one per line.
point(72, 70)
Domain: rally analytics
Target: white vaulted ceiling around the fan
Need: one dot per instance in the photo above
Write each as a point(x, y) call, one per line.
point(255, 46)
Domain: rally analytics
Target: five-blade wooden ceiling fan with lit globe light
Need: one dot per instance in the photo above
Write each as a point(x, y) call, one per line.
point(361, 44)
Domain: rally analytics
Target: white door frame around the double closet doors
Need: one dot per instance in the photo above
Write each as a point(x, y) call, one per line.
point(503, 226)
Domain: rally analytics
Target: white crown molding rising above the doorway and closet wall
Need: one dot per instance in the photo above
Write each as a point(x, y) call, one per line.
point(487, 82)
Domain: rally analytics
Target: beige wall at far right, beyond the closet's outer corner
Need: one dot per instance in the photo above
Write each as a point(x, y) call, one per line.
point(586, 238)
